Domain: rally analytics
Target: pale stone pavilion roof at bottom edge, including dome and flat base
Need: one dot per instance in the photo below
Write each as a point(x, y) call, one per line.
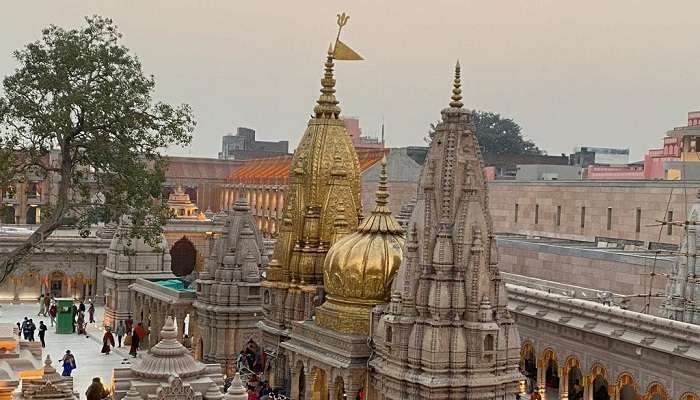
point(168, 371)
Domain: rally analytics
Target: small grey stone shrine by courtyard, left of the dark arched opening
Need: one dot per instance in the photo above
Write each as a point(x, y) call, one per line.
point(128, 260)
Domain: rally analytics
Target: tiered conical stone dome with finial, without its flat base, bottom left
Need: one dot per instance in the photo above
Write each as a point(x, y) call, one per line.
point(168, 357)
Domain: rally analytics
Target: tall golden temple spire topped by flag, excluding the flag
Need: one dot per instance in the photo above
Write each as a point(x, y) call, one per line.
point(323, 204)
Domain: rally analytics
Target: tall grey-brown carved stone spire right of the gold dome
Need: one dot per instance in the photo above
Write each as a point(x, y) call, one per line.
point(446, 333)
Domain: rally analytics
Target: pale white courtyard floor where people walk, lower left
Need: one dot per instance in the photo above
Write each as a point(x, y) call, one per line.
point(90, 362)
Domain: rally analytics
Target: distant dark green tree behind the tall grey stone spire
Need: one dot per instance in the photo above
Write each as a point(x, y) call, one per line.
point(497, 135)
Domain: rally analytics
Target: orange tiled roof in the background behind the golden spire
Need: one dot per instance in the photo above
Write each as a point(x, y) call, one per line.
point(275, 170)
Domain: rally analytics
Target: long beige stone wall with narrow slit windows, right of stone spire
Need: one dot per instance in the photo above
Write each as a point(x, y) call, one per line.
point(626, 211)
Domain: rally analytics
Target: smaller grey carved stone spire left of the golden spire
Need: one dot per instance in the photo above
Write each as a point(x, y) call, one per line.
point(228, 299)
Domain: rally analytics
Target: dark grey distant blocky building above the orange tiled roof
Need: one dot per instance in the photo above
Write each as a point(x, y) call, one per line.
point(243, 146)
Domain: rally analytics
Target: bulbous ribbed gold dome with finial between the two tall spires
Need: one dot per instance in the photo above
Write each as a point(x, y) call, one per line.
point(359, 268)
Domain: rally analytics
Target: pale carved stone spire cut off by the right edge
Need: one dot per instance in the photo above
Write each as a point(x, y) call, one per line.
point(683, 287)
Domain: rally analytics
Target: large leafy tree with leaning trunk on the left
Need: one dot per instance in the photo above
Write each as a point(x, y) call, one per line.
point(79, 108)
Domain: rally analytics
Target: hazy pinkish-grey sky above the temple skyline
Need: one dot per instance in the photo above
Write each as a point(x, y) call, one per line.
point(601, 72)
